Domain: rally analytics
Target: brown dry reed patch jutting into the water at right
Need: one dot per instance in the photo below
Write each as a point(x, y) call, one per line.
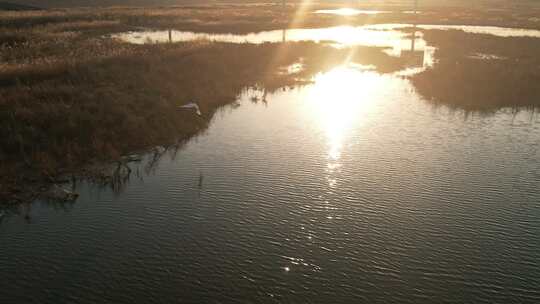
point(510, 77)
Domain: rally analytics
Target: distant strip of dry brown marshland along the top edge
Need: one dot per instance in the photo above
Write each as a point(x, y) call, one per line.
point(252, 18)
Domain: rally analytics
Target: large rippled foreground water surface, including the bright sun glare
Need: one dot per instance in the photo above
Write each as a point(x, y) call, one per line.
point(352, 189)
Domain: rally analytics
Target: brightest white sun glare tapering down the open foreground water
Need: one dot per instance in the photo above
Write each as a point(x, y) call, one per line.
point(339, 103)
